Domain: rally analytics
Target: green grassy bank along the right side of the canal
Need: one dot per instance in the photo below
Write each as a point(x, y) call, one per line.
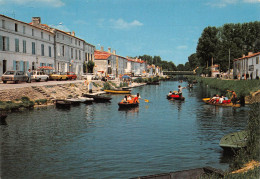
point(241, 87)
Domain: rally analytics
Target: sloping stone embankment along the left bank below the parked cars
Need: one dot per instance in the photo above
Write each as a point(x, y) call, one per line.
point(49, 92)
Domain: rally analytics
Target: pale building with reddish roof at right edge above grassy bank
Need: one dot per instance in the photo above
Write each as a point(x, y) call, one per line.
point(247, 66)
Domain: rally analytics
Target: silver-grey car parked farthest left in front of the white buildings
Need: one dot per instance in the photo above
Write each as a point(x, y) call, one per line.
point(14, 76)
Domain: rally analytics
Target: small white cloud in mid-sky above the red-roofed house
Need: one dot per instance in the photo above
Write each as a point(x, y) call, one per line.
point(122, 24)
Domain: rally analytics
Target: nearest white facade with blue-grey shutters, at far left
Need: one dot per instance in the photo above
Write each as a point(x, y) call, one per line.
point(24, 46)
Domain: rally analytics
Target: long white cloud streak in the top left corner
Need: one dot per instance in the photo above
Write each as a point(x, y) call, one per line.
point(53, 3)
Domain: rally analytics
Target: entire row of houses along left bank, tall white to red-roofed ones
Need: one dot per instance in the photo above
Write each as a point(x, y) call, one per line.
point(32, 45)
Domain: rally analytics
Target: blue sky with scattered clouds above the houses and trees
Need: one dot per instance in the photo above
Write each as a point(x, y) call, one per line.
point(166, 28)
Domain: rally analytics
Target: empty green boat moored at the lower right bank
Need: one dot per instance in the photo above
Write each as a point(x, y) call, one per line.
point(235, 140)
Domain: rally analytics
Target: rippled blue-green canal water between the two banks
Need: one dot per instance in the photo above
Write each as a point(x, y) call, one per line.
point(99, 141)
